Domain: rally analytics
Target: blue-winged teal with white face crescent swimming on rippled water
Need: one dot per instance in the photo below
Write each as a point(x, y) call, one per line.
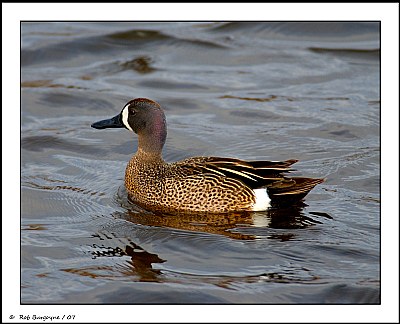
point(198, 184)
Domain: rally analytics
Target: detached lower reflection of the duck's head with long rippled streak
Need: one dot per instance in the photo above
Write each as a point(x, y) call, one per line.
point(140, 268)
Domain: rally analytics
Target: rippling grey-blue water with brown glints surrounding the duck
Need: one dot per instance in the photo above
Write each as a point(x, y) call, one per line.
point(308, 91)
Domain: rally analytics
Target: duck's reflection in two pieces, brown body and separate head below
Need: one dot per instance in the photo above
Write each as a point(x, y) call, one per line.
point(142, 265)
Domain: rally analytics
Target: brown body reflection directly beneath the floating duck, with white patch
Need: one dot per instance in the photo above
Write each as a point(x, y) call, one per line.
point(233, 225)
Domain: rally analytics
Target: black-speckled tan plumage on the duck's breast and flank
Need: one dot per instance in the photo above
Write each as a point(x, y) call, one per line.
point(185, 186)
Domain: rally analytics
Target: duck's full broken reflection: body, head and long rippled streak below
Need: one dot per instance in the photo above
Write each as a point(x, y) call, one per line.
point(140, 265)
